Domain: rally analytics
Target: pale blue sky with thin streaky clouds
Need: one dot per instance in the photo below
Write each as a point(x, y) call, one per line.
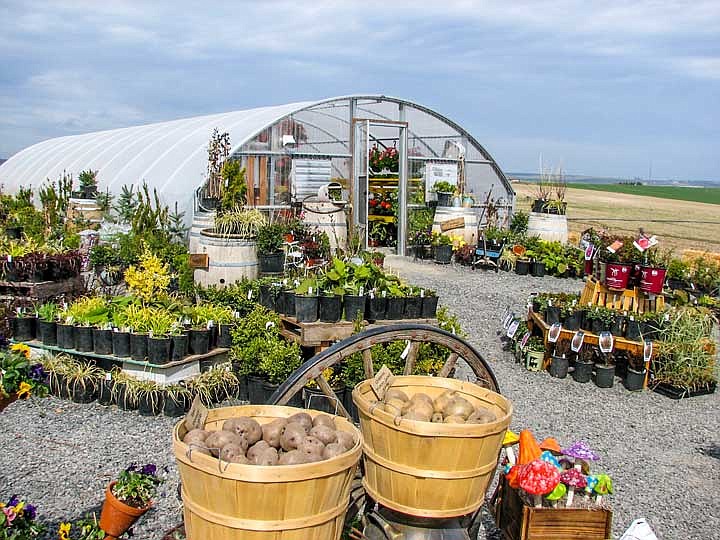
point(606, 88)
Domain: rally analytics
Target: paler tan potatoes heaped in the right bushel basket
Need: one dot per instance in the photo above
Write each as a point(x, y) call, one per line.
point(449, 408)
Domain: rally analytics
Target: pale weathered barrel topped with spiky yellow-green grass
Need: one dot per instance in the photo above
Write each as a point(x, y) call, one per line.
point(231, 258)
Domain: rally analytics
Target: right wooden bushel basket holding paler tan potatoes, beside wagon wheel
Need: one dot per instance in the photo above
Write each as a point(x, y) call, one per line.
point(427, 469)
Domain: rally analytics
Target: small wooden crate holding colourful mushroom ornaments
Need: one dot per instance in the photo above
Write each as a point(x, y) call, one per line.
point(520, 522)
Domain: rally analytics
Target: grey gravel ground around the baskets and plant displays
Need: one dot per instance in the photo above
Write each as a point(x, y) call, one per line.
point(662, 454)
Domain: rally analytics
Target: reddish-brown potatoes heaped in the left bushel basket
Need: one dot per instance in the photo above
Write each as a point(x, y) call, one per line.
point(297, 439)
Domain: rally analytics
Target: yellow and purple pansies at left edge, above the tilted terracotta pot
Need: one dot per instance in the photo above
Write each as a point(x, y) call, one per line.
point(19, 377)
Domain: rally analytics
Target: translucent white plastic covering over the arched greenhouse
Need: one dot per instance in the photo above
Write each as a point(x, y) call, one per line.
point(172, 156)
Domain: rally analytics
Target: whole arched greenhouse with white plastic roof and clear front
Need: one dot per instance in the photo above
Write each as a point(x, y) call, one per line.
point(376, 158)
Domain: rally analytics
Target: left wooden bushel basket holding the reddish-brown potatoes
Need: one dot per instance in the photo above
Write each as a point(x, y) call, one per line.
point(232, 501)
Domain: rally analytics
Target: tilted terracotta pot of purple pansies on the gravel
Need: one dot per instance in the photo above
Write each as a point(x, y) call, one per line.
point(128, 498)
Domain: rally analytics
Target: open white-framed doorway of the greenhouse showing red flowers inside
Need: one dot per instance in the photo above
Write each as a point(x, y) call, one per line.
point(379, 189)
